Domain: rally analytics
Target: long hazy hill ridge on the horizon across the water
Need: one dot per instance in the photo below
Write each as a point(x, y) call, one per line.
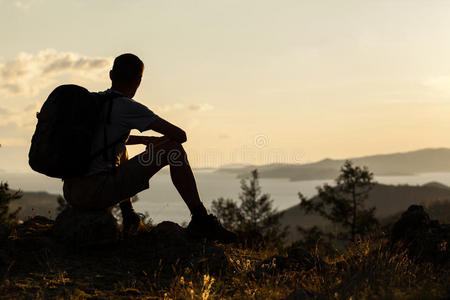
point(406, 163)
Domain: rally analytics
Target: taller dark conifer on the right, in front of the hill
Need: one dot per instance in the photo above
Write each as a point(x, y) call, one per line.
point(343, 204)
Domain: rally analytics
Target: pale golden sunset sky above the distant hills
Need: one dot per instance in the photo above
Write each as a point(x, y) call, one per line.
point(250, 81)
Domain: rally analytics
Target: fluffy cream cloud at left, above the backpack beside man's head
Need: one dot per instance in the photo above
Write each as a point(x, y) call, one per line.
point(27, 74)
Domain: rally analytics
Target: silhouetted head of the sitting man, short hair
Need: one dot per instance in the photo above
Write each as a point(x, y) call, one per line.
point(126, 73)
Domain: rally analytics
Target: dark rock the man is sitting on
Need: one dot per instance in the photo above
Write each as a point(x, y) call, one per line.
point(86, 228)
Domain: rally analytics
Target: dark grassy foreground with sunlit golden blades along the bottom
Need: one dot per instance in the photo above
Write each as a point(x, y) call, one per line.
point(365, 270)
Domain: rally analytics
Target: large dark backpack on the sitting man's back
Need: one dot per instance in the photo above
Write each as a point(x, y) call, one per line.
point(61, 145)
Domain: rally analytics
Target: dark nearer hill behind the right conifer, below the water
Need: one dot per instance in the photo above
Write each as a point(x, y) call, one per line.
point(388, 200)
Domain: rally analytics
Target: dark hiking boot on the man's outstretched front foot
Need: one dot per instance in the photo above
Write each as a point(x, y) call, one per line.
point(210, 228)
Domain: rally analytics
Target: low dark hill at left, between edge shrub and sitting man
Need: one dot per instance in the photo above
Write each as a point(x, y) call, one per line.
point(36, 203)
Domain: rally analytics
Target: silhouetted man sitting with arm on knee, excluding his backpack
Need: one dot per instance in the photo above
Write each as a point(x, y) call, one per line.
point(113, 178)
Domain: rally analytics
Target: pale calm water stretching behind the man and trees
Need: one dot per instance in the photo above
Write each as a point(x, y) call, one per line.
point(162, 201)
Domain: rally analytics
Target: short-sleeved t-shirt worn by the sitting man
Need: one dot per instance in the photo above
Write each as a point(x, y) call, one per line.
point(126, 114)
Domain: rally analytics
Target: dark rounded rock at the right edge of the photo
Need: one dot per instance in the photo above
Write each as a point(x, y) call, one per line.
point(424, 239)
